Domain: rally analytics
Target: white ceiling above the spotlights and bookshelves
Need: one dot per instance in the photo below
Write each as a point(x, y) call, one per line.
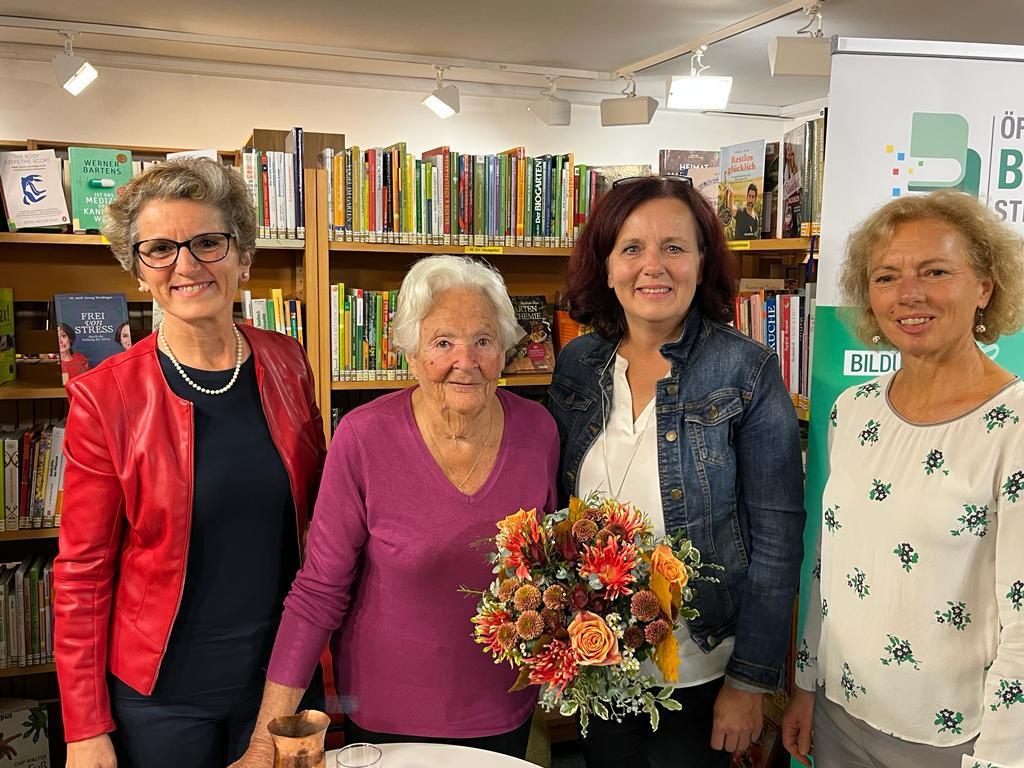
point(601, 36)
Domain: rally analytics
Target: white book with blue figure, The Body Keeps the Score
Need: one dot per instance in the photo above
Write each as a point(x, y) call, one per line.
point(33, 195)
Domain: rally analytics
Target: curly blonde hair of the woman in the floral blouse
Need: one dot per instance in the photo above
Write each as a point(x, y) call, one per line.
point(994, 250)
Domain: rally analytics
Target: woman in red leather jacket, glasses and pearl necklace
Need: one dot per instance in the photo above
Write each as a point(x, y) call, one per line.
point(192, 463)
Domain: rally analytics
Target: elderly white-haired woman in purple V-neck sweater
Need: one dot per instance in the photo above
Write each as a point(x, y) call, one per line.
point(414, 481)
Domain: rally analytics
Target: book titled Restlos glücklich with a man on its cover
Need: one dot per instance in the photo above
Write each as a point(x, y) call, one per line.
point(741, 190)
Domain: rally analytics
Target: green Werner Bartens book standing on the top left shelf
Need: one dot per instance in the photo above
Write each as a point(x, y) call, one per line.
point(96, 177)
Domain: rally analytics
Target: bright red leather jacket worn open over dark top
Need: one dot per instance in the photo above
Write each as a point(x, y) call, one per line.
point(127, 504)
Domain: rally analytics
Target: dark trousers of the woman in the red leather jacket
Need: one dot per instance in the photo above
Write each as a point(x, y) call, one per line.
point(209, 730)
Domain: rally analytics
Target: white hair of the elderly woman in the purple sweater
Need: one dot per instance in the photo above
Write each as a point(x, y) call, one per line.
point(431, 277)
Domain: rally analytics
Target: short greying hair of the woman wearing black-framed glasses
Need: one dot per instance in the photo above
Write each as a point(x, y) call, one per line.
point(200, 180)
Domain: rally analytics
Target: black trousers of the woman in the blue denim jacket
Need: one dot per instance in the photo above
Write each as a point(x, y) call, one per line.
point(682, 739)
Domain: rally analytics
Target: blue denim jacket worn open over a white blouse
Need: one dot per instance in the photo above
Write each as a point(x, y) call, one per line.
point(729, 457)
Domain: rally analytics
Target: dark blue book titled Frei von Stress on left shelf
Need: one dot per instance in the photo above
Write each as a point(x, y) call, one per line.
point(90, 330)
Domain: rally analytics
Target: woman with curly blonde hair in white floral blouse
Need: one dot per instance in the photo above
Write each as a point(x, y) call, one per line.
point(916, 648)
